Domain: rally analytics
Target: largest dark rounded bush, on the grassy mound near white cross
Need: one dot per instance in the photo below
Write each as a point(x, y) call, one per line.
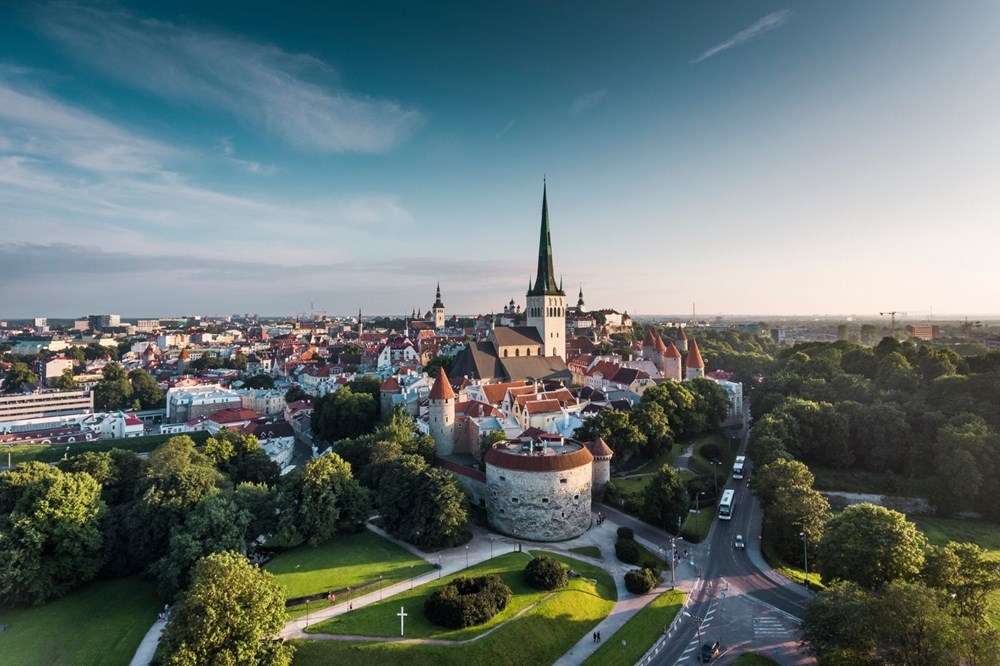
point(466, 602)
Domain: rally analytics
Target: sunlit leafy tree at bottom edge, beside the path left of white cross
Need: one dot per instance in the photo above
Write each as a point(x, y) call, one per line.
point(227, 616)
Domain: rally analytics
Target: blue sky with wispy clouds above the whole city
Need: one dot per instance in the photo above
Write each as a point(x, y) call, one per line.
point(735, 158)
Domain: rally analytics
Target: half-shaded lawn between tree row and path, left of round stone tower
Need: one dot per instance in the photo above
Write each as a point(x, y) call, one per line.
point(345, 561)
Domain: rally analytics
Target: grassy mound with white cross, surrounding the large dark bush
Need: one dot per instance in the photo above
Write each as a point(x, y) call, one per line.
point(550, 626)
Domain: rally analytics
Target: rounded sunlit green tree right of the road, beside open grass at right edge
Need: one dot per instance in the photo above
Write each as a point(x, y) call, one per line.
point(871, 546)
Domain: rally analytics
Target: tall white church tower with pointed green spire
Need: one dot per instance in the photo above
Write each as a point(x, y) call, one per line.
point(546, 301)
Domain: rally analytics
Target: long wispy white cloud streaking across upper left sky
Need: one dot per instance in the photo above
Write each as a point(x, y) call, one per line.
point(293, 95)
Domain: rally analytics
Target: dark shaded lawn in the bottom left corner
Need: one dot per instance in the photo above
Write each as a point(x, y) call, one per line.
point(101, 623)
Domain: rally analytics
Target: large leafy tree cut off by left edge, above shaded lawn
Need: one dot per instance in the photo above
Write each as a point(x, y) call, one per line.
point(50, 532)
